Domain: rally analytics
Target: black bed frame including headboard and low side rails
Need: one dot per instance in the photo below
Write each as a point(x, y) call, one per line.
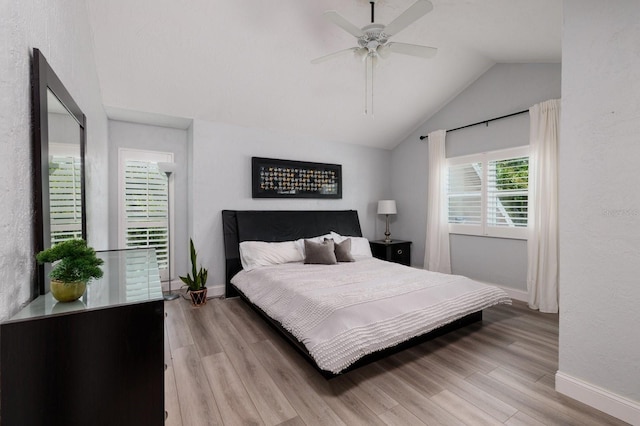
point(288, 225)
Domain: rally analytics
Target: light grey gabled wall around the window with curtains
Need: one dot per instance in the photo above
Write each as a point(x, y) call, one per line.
point(503, 89)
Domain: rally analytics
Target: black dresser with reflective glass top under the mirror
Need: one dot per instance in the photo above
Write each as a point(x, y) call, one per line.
point(98, 360)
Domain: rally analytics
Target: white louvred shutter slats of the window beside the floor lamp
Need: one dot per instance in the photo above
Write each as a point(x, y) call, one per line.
point(145, 208)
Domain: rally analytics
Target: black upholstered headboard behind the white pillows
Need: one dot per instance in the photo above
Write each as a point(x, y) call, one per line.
point(279, 225)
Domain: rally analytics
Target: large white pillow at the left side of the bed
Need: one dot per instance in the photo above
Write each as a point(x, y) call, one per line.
point(254, 254)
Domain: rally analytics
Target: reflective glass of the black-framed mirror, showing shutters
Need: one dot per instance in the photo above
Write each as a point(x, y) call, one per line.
point(65, 172)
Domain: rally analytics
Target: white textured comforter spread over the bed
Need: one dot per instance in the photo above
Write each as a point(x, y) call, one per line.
point(345, 311)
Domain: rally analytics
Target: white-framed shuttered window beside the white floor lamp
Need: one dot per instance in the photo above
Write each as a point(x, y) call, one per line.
point(143, 203)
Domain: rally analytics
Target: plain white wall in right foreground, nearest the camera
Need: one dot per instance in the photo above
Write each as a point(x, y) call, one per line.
point(600, 202)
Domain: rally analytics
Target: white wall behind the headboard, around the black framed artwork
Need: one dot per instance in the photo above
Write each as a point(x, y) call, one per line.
point(220, 168)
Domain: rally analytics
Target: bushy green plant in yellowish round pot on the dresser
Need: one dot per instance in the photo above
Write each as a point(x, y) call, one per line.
point(74, 265)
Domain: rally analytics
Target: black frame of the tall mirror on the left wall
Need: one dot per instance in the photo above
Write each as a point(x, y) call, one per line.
point(44, 78)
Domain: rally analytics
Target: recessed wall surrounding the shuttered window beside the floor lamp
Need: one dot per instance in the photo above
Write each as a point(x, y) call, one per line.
point(152, 138)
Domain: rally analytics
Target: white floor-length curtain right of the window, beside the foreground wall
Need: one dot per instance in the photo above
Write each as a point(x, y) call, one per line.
point(542, 273)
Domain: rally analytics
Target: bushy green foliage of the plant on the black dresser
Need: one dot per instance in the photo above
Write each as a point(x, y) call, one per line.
point(75, 261)
